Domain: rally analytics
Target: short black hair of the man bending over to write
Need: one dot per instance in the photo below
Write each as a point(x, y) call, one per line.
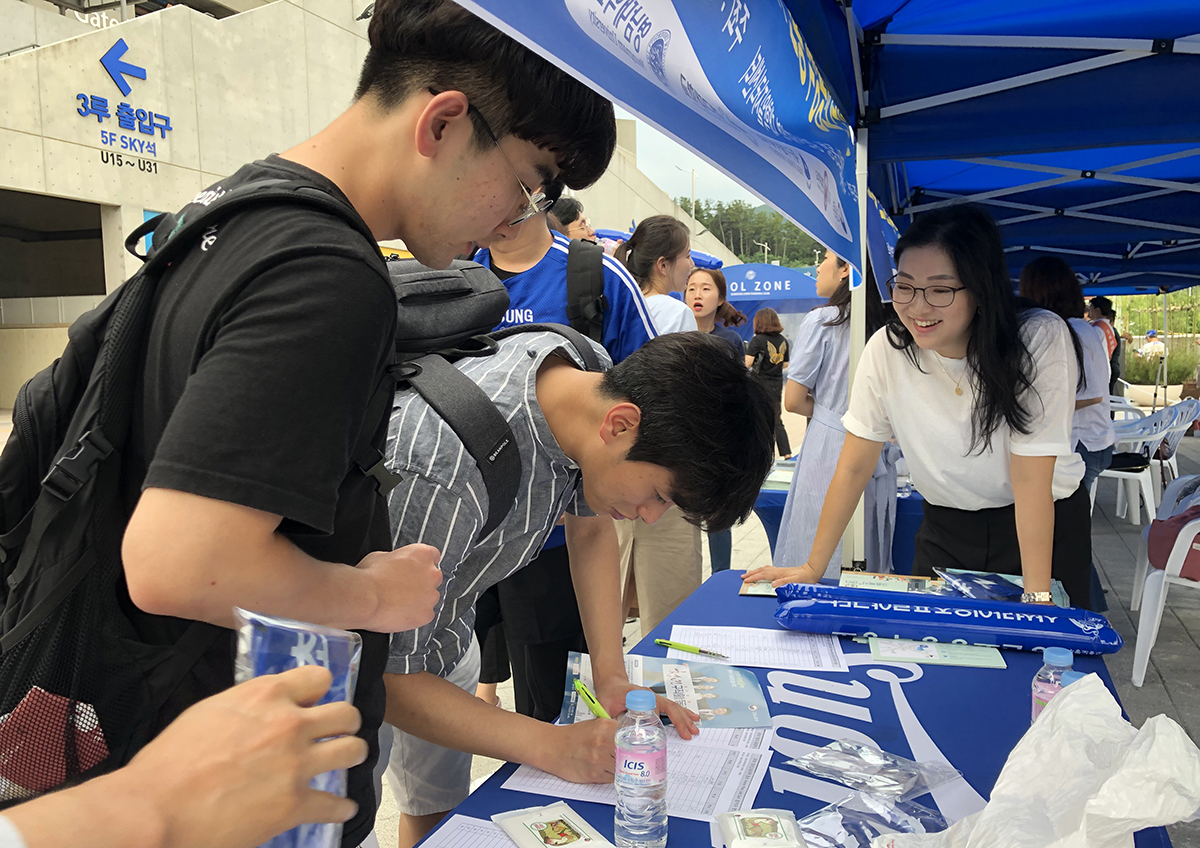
point(706, 418)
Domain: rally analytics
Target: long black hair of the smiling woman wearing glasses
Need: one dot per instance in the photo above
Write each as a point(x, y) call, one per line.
point(998, 360)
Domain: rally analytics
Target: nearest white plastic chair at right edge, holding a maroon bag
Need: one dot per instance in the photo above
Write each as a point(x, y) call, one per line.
point(1181, 495)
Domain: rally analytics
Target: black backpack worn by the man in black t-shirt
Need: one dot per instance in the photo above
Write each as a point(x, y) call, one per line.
point(80, 689)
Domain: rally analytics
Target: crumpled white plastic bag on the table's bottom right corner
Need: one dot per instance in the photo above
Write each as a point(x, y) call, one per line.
point(1082, 777)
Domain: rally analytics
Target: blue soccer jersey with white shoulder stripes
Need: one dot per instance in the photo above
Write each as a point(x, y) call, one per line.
point(539, 296)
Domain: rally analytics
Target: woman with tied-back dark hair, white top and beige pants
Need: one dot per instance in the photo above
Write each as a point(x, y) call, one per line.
point(661, 563)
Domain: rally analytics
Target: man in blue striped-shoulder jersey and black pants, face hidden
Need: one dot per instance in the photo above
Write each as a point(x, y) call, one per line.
point(541, 618)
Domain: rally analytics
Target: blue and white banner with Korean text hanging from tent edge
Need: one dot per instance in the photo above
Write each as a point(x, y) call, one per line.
point(733, 81)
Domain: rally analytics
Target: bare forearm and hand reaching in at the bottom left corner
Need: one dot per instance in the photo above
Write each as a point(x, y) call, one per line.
point(232, 772)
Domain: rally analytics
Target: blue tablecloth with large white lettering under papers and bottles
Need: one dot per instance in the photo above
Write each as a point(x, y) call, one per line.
point(974, 717)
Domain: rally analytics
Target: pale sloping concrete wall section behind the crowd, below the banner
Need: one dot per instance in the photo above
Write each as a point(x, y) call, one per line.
point(625, 194)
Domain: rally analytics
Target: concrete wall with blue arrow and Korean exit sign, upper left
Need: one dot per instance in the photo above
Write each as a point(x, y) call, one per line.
point(235, 89)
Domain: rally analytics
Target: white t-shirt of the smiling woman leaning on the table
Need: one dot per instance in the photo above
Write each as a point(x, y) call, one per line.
point(891, 398)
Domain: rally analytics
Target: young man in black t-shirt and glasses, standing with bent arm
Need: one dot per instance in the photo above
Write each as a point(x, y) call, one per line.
point(272, 335)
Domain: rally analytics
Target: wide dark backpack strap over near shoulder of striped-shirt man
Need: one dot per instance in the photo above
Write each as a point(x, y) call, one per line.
point(475, 418)
